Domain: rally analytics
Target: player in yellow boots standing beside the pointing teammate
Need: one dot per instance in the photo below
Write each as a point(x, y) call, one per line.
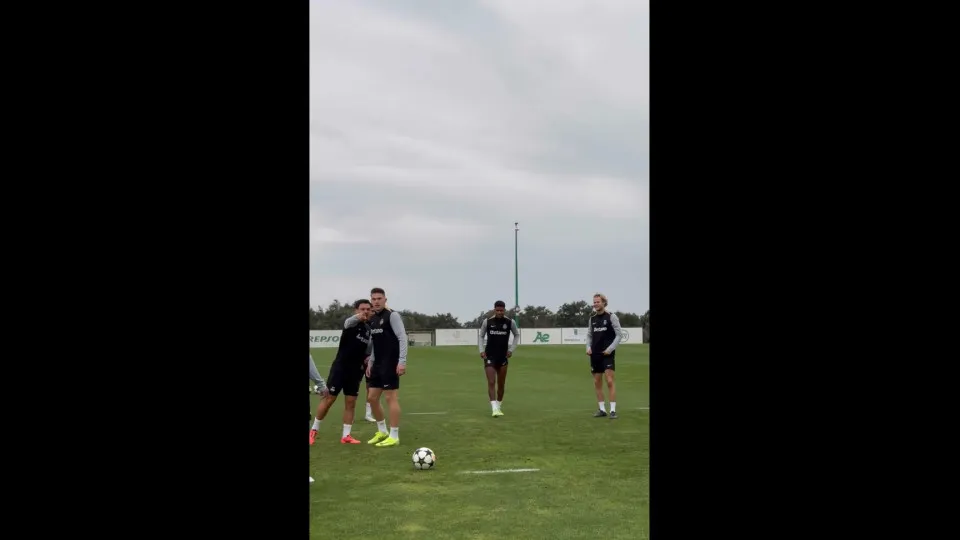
point(385, 367)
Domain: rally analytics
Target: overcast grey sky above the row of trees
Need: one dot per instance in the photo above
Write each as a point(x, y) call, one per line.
point(435, 124)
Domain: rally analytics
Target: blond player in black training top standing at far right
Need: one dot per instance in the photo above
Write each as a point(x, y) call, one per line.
point(603, 336)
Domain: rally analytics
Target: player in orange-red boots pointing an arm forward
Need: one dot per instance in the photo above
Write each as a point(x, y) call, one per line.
point(356, 346)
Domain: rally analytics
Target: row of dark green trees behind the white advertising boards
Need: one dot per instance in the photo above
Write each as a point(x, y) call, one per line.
point(572, 314)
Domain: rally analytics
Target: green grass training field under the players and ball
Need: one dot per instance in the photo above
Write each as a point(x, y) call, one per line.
point(593, 478)
